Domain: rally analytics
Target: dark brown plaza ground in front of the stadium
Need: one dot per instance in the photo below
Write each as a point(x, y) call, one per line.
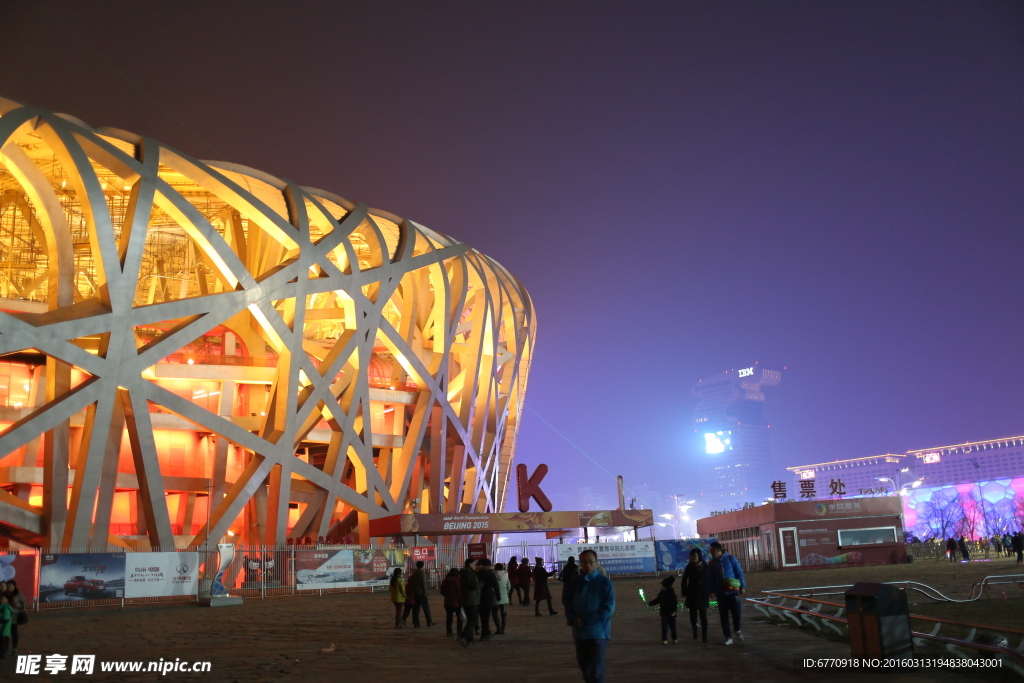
point(284, 639)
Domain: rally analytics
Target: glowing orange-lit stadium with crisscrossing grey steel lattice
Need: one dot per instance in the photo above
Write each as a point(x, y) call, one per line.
point(180, 336)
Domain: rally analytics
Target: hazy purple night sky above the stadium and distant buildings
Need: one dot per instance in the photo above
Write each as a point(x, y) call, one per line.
point(684, 188)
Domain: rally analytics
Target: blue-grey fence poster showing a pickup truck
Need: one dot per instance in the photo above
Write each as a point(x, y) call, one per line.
point(81, 577)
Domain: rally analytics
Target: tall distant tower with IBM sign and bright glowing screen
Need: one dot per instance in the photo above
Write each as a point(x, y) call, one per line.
point(736, 460)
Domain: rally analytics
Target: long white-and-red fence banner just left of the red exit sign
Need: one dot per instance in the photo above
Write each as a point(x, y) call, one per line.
point(317, 570)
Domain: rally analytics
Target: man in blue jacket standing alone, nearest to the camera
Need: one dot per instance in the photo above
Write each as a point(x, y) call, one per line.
point(590, 616)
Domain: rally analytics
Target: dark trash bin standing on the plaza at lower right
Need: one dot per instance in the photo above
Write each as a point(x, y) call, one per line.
point(879, 621)
